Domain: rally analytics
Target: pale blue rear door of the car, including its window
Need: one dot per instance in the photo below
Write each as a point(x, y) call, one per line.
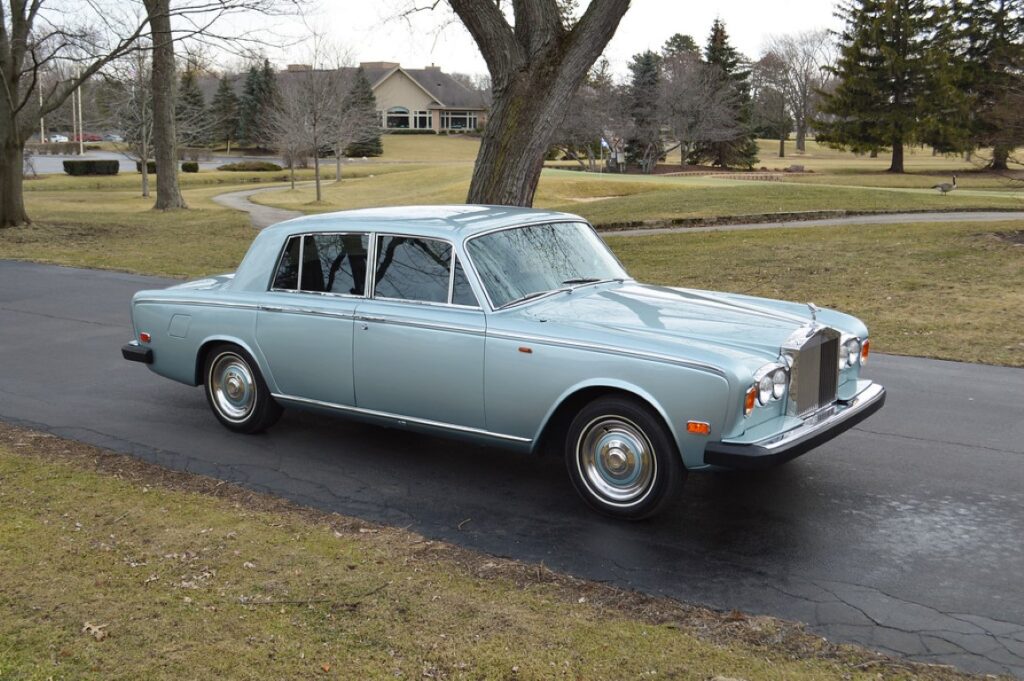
point(305, 329)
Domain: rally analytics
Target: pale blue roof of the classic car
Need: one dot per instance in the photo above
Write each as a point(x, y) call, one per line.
point(442, 222)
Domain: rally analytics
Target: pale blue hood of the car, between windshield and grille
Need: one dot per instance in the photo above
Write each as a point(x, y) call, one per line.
point(692, 324)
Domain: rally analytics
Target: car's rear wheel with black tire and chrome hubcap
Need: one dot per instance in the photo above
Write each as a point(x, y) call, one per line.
point(237, 393)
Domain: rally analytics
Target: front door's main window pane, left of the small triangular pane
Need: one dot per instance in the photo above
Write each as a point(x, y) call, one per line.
point(410, 269)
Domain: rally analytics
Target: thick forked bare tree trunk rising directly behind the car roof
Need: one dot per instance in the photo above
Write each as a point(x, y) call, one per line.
point(537, 59)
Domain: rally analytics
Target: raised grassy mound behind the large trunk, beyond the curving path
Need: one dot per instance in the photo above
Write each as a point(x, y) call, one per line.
point(617, 199)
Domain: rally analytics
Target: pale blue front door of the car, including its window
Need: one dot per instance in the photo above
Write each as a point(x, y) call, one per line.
point(419, 342)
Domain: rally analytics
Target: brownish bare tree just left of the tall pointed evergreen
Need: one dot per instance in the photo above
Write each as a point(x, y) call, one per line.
point(699, 104)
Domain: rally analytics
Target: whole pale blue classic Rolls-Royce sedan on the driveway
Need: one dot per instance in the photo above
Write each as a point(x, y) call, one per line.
point(511, 327)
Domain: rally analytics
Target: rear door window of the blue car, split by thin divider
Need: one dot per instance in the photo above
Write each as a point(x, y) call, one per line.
point(331, 264)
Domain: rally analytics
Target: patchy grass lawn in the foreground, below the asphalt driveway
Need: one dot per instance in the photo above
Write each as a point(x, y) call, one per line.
point(114, 569)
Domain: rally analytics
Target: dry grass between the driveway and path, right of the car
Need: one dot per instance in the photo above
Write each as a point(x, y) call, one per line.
point(949, 291)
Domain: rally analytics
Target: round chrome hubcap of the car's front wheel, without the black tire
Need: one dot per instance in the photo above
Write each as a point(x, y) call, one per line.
point(617, 461)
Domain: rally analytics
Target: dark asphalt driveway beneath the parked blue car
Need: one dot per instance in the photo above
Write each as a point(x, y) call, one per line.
point(904, 535)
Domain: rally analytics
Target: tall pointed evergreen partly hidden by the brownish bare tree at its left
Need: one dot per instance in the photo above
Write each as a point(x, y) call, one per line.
point(742, 150)
